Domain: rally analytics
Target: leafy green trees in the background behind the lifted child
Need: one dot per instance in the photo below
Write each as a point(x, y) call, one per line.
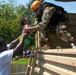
point(10, 19)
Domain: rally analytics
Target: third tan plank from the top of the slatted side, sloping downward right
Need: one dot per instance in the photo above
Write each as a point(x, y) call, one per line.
point(57, 69)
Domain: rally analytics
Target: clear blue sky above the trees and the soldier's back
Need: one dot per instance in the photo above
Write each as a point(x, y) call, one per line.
point(69, 6)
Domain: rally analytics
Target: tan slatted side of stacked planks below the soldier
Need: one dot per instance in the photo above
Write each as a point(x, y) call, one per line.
point(56, 62)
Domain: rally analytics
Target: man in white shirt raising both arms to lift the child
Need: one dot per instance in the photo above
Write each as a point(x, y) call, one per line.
point(7, 52)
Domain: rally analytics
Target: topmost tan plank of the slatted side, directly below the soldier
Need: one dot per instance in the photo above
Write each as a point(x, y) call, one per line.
point(58, 51)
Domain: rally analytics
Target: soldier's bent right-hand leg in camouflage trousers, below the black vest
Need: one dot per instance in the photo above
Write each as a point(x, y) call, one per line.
point(62, 33)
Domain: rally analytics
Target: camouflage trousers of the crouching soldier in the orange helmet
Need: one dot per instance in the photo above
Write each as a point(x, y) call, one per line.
point(60, 31)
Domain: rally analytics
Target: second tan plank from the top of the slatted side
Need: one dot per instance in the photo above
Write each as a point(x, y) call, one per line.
point(58, 59)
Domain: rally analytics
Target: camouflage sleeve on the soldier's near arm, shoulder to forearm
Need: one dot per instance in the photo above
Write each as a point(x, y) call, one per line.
point(47, 14)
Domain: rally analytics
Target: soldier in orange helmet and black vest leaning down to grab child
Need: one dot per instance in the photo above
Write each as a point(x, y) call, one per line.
point(50, 16)
